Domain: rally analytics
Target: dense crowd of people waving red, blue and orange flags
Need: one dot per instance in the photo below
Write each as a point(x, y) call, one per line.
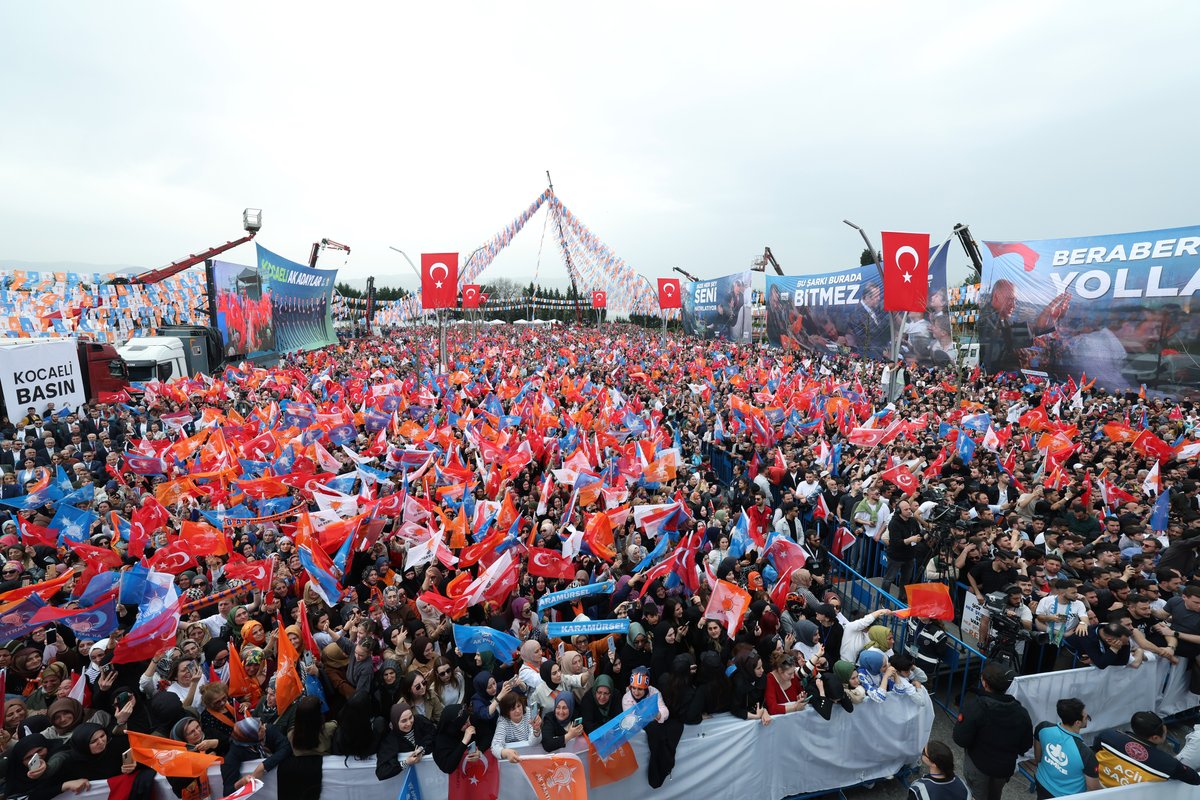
point(333, 527)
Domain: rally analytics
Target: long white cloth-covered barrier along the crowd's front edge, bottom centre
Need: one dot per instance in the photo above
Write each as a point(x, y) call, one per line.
point(722, 757)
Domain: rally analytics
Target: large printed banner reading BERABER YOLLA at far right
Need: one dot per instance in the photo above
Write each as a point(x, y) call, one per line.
point(1120, 309)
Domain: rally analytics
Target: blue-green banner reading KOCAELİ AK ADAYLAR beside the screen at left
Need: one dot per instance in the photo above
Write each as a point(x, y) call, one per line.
point(301, 303)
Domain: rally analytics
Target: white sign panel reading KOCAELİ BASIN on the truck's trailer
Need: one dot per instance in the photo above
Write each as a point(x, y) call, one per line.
point(40, 374)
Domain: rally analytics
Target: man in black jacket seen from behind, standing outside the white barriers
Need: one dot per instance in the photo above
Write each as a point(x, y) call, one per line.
point(995, 731)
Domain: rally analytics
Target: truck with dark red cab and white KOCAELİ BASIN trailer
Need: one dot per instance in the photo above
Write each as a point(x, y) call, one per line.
point(100, 369)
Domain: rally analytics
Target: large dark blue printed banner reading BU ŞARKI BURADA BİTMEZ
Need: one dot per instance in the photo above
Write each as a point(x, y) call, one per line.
point(843, 312)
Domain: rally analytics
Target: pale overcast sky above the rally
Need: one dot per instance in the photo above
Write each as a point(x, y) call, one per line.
point(683, 134)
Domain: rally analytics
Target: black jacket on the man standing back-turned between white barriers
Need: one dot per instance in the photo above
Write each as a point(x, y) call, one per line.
point(995, 731)
